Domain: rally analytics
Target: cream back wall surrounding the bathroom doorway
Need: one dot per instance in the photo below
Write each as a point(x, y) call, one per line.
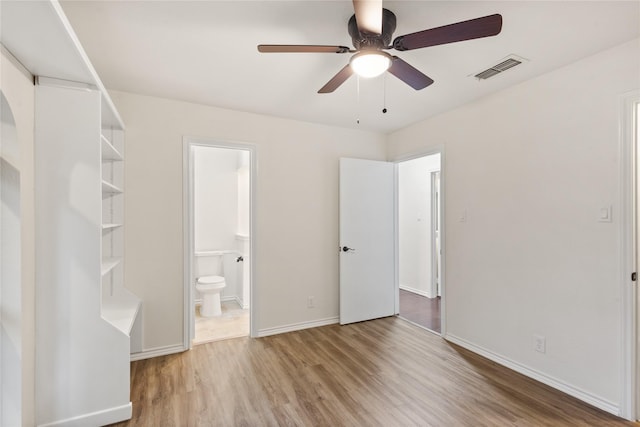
point(296, 209)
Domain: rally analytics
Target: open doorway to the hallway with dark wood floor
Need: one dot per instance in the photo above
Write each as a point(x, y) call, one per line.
point(419, 241)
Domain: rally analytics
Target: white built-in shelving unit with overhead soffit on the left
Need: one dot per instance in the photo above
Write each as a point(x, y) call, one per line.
point(87, 321)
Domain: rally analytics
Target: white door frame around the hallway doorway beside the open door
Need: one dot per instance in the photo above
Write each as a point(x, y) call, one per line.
point(436, 149)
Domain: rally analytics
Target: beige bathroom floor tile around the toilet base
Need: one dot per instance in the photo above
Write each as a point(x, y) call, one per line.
point(233, 323)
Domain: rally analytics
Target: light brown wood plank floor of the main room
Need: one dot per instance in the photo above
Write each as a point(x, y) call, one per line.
point(386, 372)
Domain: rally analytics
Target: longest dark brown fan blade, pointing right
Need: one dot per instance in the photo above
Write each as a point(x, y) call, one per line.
point(465, 30)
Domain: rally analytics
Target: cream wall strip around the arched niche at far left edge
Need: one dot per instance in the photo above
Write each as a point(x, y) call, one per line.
point(18, 314)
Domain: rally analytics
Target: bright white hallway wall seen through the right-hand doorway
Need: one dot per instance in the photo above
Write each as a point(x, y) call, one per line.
point(414, 224)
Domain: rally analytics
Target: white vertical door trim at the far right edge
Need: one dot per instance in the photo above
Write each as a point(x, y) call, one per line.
point(628, 235)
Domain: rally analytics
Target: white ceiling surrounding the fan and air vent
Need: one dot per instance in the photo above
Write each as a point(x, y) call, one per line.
point(205, 52)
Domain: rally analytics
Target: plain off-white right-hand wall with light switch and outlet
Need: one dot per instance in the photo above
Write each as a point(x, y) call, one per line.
point(532, 166)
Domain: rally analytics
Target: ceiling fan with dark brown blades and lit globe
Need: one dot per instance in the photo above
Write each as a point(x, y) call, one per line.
point(371, 28)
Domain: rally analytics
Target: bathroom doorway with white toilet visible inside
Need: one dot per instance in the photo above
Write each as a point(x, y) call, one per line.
point(219, 184)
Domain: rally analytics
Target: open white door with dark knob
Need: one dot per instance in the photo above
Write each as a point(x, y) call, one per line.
point(367, 244)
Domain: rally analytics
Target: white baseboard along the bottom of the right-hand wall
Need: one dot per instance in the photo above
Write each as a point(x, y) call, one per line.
point(564, 387)
